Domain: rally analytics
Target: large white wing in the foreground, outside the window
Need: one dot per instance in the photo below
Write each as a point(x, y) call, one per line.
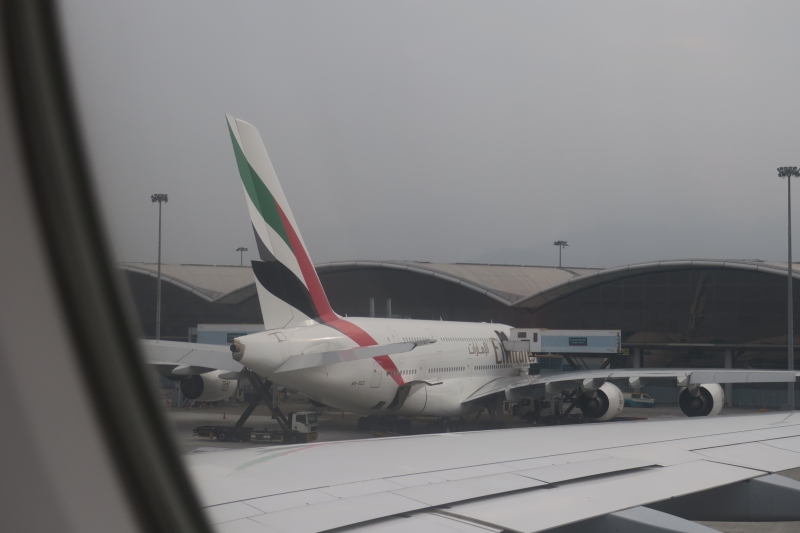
point(624, 476)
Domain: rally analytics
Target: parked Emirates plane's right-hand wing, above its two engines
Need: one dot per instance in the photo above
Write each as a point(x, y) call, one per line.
point(679, 377)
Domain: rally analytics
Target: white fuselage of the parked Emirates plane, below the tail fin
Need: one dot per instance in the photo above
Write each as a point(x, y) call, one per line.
point(464, 358)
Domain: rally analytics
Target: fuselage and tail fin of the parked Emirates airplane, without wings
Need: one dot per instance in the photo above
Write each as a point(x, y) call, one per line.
point(366, 365)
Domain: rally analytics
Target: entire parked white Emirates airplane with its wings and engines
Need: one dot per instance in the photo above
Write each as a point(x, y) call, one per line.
point(387, 367)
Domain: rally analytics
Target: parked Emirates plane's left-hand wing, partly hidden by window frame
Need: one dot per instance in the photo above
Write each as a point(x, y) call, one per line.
point(186, 358)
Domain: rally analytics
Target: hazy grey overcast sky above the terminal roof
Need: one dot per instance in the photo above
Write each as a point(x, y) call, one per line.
point(447, 131)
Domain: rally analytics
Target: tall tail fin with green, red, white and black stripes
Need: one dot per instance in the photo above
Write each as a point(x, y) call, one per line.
point(289, 289)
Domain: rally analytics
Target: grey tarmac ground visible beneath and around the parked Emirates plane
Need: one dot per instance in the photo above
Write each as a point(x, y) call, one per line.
point(335, 425)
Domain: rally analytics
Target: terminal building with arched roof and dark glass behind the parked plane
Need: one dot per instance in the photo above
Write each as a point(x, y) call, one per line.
point(691, 313)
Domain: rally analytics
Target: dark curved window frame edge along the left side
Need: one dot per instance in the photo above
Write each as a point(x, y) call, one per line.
point(99, 321)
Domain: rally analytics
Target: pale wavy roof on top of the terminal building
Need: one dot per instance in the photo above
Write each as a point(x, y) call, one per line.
point(514, 285)
